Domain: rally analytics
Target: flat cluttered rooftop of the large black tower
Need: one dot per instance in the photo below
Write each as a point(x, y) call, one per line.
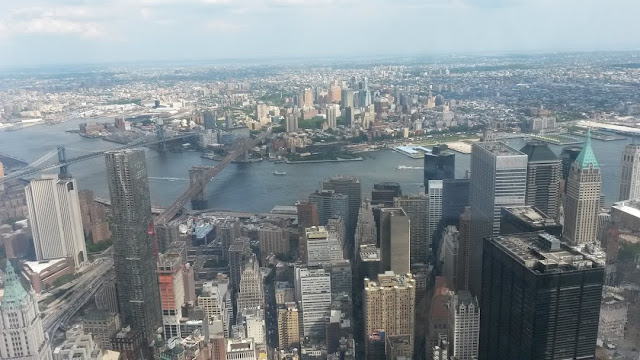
point(543, 253)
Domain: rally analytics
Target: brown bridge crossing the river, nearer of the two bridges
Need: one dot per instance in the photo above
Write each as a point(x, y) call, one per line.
point(194, 189)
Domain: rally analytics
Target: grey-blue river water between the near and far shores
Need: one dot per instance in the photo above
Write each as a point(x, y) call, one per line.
point(253, 187)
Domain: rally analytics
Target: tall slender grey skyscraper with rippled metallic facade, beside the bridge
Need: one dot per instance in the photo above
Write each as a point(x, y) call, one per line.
point(133, 255)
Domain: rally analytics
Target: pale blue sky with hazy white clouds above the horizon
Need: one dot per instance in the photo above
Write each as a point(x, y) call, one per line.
point(34, 32)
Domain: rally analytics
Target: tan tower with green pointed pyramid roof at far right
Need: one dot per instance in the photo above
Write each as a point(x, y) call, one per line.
point(583, 197)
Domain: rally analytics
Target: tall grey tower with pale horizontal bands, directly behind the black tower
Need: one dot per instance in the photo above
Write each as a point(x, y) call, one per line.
point(499, 178)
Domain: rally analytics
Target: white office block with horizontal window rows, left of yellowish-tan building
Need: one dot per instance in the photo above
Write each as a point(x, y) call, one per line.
point(313, 293)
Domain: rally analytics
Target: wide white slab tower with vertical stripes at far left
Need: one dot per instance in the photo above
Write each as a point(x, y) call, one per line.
point(56, 221)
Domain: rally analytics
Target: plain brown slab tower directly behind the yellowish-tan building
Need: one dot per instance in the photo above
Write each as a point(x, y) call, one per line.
point(395, 240)
